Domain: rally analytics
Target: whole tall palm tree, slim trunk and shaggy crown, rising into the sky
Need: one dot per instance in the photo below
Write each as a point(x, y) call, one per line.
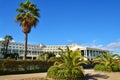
point(27, 17)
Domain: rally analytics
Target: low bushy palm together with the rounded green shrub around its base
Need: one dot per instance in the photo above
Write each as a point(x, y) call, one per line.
point(68, 66)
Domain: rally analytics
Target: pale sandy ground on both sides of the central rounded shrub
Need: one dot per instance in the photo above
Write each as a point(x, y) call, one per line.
point(89, 75)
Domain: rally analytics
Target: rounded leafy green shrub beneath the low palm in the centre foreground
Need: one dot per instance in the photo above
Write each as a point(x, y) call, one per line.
point(58, 73)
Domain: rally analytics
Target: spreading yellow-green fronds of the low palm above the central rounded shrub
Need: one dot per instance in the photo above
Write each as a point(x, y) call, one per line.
point(70, 59)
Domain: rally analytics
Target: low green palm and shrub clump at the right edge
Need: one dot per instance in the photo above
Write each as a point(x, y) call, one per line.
point(107, 62)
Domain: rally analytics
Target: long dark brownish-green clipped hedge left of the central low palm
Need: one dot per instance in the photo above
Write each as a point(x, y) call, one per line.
point(23, 66)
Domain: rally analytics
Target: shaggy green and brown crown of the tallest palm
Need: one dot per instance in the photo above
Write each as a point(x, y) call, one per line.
point(28, 14)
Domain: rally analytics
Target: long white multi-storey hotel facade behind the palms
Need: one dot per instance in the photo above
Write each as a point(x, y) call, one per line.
point(36, 50)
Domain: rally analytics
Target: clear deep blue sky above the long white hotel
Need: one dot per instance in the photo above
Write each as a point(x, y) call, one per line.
point(94, 23)
